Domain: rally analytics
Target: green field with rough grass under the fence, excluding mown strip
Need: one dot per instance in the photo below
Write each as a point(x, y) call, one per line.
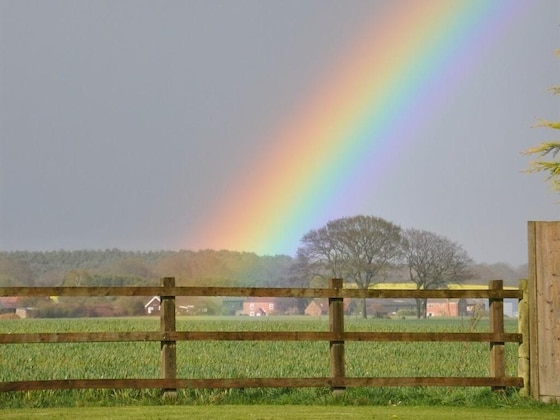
point(232, 359)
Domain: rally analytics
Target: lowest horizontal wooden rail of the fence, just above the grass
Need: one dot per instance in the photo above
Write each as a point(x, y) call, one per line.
point(257, 383)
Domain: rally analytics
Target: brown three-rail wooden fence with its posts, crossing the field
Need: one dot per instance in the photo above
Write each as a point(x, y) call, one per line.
point(168, 336)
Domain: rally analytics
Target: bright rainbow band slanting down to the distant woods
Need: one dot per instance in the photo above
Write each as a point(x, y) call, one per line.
point(395, 76)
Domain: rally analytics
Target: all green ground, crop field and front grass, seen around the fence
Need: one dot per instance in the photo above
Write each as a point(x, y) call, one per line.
point(258, 359)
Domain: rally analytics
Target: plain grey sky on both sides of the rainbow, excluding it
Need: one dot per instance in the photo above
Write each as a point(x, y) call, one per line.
point(121, 121)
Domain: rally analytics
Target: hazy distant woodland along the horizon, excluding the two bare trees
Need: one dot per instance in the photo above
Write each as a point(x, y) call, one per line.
point(114, 267)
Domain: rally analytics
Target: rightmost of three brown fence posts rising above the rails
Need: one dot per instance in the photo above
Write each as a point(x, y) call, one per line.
point(497, 349)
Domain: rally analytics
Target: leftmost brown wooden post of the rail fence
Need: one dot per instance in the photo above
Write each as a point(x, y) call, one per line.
point(168, 347)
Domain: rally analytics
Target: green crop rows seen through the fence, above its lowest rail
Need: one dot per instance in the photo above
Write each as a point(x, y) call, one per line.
point(231, 359)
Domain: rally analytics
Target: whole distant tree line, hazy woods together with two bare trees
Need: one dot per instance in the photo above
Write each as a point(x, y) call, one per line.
point(363, 250)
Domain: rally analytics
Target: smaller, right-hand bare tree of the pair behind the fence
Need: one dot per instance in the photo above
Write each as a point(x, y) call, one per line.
point(433, 262)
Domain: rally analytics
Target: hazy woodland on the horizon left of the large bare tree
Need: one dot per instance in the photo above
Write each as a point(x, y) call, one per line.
point(116, 267)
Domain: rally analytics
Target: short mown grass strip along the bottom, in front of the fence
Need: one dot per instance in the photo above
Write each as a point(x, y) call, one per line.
point(270, 412)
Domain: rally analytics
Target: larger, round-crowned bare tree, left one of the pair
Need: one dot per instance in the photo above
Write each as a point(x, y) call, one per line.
point(358, 249)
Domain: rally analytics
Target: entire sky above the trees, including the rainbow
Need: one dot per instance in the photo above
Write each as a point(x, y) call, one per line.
point(242, 125)
